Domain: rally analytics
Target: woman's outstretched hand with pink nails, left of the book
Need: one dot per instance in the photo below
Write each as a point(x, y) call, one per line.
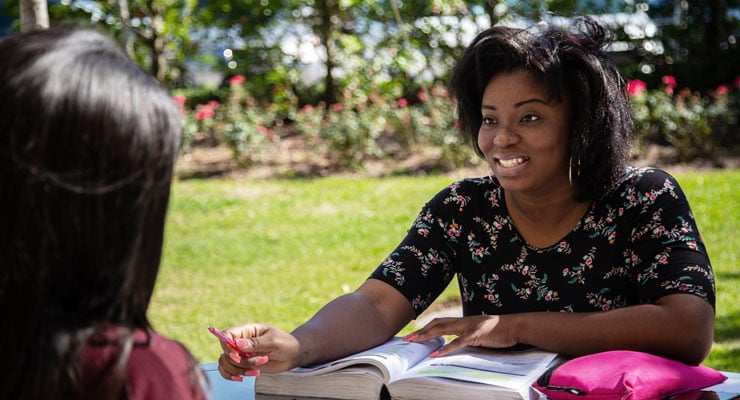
point(270, 349)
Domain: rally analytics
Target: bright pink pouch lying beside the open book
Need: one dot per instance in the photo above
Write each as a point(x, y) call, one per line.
point(624, 375)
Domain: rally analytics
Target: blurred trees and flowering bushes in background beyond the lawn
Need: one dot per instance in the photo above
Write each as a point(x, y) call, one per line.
point(362, 80)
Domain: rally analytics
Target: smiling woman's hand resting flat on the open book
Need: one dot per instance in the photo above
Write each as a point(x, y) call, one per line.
point(493, 331)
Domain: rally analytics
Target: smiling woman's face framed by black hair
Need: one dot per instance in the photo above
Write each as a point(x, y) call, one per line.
point(525, 136)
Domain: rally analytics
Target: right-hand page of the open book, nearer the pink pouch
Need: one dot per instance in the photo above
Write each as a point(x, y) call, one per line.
point(509, 369)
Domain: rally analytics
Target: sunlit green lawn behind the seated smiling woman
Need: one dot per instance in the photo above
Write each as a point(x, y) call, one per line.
point(275, 251)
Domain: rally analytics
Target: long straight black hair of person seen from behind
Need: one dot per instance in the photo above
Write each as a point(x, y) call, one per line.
point(88, 143)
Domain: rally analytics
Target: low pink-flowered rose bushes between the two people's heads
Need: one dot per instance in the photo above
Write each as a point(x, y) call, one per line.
point(367, 126)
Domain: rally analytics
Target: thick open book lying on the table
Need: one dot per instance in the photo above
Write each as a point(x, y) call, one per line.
point(401, 370)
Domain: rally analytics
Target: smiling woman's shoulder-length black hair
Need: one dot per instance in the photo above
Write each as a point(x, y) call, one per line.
point(572, 64)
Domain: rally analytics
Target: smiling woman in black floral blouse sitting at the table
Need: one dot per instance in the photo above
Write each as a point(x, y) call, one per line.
point(563, 247)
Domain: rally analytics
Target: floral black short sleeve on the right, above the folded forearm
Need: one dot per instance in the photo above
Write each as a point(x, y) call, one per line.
point(666, 249)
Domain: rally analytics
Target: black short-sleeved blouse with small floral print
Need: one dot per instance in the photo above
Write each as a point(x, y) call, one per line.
point(634, 246)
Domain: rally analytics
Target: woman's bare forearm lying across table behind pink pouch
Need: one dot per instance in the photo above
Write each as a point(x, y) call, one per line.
point(678, 326)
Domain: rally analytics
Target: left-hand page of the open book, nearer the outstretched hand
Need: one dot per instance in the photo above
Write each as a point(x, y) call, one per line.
point(392, 358)
